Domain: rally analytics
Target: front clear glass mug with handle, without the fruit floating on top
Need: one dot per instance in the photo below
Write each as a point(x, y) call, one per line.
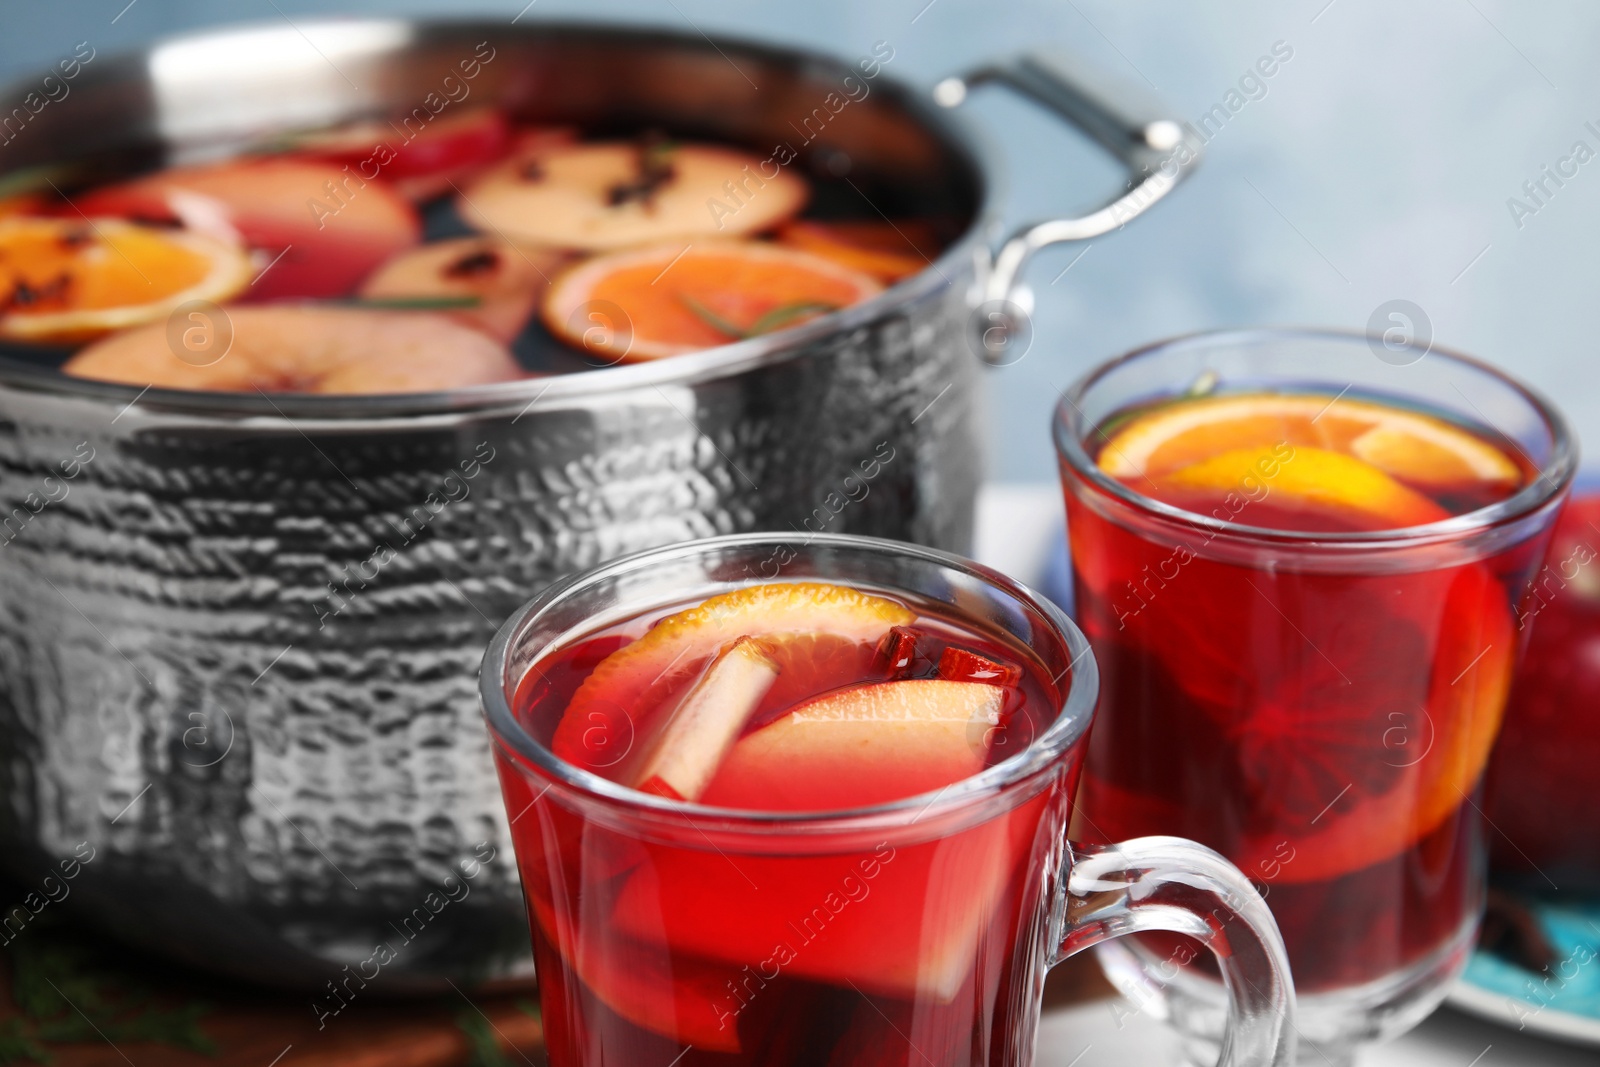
point(916, 932)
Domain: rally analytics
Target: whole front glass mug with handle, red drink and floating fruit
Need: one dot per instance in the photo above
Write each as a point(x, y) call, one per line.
point(812, 823)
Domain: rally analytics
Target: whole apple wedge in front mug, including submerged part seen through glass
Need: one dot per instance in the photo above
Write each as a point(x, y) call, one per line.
point(905, 919)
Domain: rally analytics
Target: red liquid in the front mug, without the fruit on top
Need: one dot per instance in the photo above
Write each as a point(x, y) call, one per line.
point(671, 941)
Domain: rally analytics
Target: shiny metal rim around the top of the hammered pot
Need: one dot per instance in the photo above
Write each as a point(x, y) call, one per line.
point(956, 265)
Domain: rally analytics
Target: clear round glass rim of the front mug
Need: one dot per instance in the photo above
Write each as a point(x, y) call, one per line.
point(1071, 724)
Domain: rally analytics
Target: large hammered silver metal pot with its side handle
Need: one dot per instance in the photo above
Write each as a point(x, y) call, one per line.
point(239, 634)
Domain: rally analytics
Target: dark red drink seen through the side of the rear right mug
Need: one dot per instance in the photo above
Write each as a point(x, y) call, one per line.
point(1326, 730)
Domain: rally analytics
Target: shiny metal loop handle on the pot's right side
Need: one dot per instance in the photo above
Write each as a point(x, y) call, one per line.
point(1159, 153)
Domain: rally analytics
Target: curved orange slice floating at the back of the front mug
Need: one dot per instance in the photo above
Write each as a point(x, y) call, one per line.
point(810, 631)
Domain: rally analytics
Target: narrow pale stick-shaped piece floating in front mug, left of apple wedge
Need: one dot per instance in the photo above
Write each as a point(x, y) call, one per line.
point(710, 719)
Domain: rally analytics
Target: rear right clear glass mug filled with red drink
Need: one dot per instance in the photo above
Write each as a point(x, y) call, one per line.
point(1327, 700)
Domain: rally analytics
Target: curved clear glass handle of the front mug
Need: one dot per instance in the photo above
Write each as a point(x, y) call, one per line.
point(1169, 884)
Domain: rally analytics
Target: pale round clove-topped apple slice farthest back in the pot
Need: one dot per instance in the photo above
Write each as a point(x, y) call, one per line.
point(617, 194)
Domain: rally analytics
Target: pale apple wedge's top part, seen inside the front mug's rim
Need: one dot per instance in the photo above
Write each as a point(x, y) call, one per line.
point(862, 746)
